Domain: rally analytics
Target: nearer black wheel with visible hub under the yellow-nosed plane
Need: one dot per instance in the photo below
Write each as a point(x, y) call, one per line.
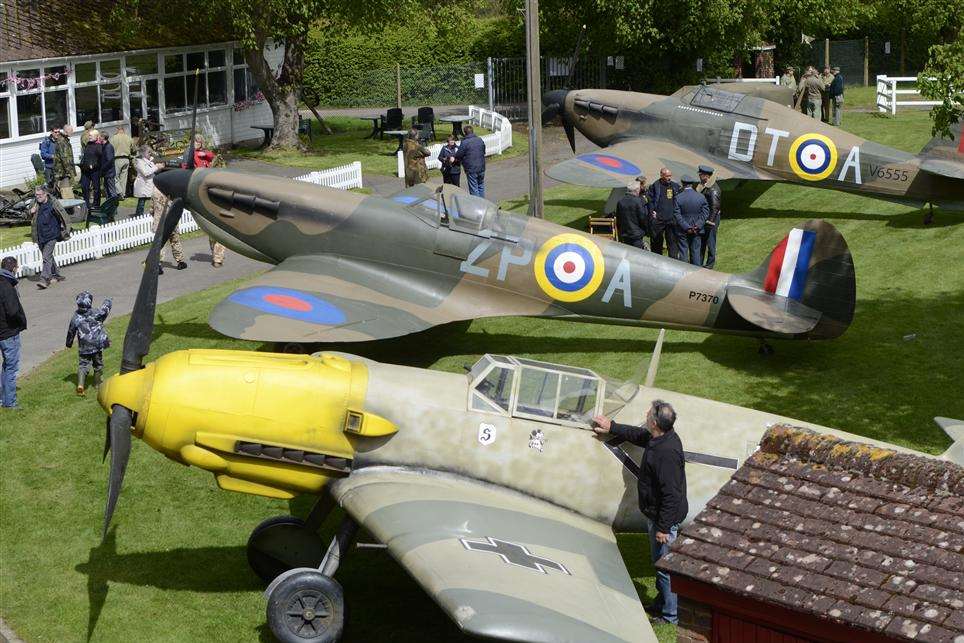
point(307, 607)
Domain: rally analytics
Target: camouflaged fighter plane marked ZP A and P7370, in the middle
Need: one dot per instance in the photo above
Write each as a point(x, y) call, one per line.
point(351, 267)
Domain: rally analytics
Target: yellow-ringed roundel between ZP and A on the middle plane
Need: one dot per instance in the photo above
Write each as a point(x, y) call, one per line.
point(569, 267)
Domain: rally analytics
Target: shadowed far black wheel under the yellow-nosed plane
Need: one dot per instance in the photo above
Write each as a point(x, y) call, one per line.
point(282, 543)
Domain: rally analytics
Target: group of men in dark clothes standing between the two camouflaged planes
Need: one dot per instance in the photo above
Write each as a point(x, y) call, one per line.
point(683, 218)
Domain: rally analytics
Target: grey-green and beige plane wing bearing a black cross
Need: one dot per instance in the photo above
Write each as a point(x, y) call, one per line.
point(501, 564)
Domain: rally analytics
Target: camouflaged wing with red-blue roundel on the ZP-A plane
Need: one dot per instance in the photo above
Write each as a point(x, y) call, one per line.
point(326, 298)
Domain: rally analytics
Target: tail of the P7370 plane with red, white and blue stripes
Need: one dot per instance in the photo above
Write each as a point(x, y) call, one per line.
point(806, 286)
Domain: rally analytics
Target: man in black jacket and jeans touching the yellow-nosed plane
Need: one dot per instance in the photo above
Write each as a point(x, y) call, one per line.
point(662, 489)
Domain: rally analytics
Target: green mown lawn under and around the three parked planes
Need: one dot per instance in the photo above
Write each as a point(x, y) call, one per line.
point(174, 569)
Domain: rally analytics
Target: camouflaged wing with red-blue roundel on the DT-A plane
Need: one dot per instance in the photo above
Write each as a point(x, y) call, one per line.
point(617, 165)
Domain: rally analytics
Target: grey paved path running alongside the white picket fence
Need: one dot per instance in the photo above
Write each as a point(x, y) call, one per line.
point(118, 276)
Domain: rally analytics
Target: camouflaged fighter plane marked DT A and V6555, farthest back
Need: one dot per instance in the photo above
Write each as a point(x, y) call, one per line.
point(743, 137)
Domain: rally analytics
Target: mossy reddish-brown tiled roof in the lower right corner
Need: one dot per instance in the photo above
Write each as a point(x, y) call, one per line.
point(846, 531)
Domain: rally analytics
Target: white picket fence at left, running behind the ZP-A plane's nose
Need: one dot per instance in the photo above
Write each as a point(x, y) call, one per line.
point(97, 241)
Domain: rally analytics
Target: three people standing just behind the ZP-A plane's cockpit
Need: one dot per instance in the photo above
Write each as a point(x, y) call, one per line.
point(454, 157)
